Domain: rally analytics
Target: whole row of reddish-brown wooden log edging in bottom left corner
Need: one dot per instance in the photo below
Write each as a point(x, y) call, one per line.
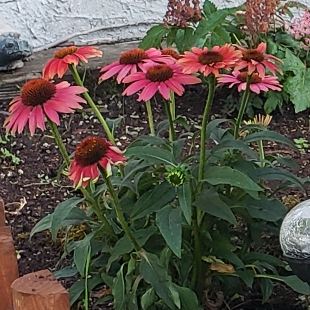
point(34, 291)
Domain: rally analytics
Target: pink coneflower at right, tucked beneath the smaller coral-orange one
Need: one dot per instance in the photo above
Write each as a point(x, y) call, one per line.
point(257, 83)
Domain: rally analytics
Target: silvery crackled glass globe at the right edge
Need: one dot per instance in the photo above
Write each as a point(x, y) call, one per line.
point(295, 232)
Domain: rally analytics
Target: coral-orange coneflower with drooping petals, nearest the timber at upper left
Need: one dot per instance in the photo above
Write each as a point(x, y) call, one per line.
point(68, 56)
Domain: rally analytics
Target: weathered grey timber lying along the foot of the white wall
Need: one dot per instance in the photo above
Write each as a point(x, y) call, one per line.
point(10, 82)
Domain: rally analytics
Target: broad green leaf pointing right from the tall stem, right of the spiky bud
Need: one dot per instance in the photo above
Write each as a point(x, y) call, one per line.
point(225, 175)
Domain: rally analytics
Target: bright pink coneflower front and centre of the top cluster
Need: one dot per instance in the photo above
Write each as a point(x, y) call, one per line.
point(162, 78)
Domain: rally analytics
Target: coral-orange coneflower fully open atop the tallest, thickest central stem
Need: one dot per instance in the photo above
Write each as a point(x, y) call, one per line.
point(209, 61)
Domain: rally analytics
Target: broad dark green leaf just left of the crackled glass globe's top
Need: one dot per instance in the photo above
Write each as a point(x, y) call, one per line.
point(270, 210)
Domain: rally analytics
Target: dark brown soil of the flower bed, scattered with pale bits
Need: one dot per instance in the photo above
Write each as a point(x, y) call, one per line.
point(31, 191)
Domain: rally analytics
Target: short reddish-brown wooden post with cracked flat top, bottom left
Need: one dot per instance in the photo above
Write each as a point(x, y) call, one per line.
point(39, 291)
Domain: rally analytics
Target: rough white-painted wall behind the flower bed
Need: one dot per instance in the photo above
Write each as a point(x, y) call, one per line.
point(43, 22)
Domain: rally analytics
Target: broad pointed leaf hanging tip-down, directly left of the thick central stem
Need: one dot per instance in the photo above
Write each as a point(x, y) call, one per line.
point(169, 222)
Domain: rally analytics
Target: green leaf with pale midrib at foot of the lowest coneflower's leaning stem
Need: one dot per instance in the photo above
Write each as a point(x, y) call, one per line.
point(155, 274)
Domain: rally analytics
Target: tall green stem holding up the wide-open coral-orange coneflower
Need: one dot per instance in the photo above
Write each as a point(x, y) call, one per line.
point(205, 120)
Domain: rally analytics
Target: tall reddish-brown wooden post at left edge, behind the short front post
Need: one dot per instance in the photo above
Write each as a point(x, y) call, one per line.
point(8, 268)
